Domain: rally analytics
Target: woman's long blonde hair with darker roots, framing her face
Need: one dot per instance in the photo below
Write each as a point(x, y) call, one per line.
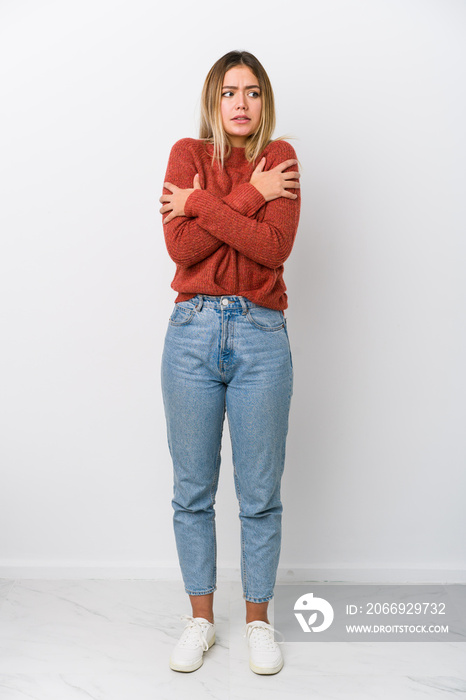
point(211, 128)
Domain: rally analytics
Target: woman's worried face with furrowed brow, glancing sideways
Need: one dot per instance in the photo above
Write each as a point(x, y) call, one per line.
point(240, 104)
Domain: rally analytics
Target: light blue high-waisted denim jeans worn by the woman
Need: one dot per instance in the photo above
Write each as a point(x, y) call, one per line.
point(227, 354)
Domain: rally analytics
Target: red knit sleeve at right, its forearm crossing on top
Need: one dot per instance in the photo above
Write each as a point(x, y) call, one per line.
point(269, 241)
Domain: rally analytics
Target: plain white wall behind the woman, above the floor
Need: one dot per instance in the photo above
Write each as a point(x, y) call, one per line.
point(93, 95)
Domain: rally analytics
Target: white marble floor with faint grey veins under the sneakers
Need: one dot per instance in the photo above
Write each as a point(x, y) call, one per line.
point(96, 638)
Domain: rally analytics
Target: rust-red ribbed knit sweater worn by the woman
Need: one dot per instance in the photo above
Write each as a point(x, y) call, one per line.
point(231, 240)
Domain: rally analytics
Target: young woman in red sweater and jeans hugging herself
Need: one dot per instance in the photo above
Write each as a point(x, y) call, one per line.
point(231, 200)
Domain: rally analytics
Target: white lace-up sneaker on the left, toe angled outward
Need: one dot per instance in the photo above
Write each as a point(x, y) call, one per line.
point(198, 636)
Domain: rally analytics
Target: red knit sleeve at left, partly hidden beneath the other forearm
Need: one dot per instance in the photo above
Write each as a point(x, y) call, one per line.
point(187, 242)
